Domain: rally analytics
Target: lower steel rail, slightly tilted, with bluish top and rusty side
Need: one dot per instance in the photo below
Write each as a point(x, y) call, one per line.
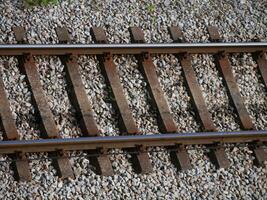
point(109, 142)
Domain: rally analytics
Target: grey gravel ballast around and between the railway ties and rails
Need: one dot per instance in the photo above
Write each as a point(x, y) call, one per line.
point(237, 21)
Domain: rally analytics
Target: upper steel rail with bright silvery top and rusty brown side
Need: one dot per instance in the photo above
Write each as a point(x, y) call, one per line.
point(94, 49)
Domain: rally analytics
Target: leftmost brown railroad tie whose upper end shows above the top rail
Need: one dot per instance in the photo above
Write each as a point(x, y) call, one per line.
point(47, 123)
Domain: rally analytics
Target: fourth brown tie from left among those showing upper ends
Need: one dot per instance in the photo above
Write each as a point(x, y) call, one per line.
point(178, 154)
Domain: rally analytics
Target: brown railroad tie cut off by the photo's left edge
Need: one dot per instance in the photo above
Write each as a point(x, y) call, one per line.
point(20, 164)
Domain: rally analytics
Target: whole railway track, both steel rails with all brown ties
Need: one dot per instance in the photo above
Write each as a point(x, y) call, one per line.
point(130, 139)
